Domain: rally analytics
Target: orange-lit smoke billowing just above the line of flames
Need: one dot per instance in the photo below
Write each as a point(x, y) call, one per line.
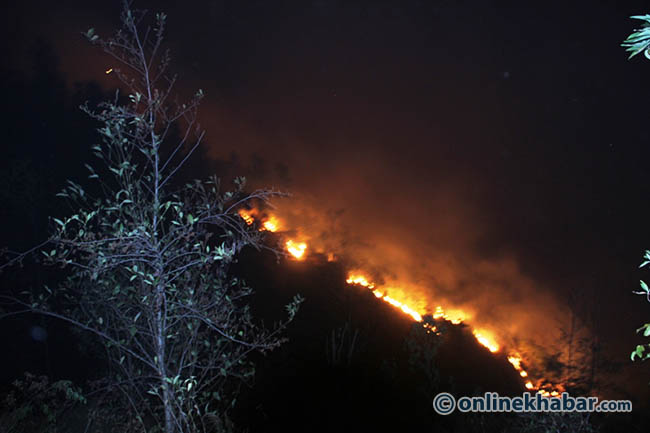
point(424, 232)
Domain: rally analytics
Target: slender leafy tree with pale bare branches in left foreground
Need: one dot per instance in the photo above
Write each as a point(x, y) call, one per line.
point(149, 261)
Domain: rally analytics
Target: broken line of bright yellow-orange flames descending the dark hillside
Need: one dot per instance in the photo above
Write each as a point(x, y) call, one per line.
point(484, 337)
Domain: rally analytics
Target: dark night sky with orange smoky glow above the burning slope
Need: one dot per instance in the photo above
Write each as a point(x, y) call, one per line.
point(487, 155)
